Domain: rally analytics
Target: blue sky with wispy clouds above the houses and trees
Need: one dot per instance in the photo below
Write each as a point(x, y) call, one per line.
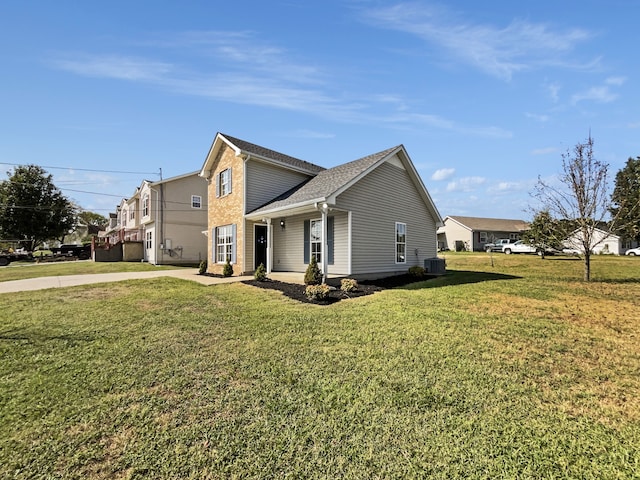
point(485, 96)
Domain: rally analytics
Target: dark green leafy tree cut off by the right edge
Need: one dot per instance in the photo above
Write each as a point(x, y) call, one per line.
point(625, 209)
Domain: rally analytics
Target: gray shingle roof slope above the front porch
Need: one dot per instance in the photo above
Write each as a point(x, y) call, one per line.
point(326, 183)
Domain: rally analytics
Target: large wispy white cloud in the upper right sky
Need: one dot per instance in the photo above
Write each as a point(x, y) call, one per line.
point(498, 51)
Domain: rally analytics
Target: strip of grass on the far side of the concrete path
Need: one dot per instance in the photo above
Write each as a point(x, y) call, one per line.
point(22, 270)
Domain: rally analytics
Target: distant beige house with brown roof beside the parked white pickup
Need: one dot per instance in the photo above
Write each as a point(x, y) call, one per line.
point(473, 233)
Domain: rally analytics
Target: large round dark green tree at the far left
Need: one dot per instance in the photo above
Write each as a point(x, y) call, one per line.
point(32, 209)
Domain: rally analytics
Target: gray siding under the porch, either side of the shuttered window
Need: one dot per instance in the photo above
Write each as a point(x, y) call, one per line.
point(288, 244)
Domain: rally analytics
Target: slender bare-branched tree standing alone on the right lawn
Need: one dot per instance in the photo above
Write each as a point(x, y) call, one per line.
point(581, 199)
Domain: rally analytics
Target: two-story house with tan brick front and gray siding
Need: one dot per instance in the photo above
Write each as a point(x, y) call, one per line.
point(366, 218)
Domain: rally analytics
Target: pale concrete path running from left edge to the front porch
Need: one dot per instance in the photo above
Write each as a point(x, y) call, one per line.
point(42, 283)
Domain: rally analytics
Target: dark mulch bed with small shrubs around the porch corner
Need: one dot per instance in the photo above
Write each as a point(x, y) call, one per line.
point(366, 287)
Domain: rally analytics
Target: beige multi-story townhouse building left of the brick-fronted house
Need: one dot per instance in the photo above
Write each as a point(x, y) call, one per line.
point(161, 223)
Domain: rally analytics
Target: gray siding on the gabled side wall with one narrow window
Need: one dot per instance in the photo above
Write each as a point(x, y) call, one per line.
point(383, 197)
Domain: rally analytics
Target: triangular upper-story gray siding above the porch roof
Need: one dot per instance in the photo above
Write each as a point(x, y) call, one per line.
point(265, 182)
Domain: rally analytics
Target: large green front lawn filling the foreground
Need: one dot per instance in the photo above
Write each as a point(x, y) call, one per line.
point(516, 370)
